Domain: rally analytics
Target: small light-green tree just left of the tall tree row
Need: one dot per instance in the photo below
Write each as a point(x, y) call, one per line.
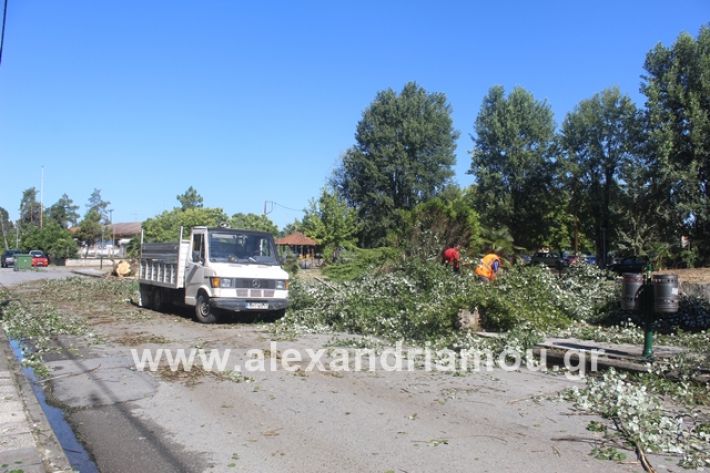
point(331, 223)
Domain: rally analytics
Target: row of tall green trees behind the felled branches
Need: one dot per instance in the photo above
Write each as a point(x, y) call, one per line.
point(611, 177)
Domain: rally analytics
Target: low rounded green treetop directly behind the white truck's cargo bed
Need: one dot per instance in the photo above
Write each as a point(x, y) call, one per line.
point(166, 226)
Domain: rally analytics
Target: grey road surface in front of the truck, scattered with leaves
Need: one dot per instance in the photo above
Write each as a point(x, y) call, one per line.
point(320, 421)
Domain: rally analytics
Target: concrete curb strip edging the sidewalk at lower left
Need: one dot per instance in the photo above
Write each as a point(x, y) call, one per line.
point(46, 443)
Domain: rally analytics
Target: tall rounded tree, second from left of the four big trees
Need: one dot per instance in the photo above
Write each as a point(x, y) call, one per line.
point(513, 162)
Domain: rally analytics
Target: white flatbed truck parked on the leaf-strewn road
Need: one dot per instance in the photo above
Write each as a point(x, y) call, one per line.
point(215, 269)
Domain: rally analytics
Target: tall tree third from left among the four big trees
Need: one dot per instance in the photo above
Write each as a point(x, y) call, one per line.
point(600, 138)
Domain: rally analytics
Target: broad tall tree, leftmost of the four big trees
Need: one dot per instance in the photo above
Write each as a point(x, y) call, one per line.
point(403, 155)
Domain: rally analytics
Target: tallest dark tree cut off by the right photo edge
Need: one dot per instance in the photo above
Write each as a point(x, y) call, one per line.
point(677, 90)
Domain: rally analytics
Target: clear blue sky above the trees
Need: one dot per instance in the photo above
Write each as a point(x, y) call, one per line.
point(256, 101)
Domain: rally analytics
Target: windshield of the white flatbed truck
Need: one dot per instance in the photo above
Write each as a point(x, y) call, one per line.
point(244, 248)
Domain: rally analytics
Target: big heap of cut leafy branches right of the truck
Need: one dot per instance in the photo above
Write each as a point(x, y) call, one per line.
point(420, 300)
